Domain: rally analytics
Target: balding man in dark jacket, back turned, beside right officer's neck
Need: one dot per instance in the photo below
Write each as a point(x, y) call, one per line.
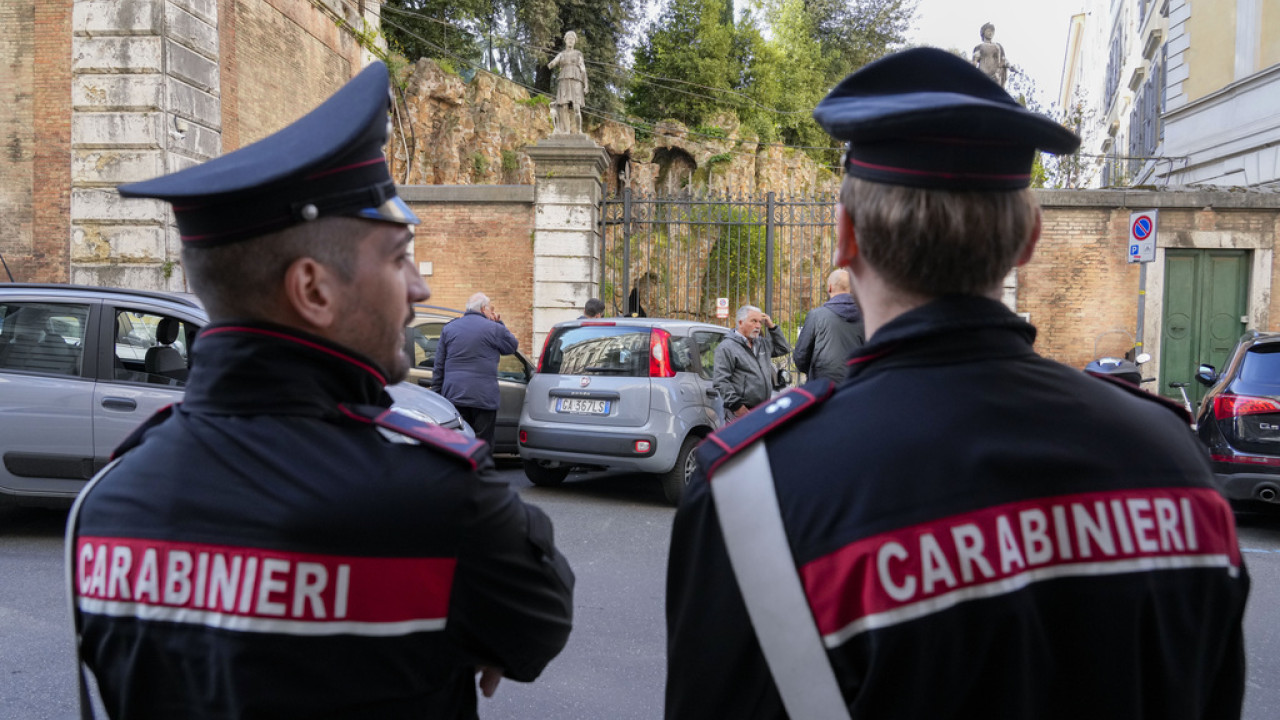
point(831, 332)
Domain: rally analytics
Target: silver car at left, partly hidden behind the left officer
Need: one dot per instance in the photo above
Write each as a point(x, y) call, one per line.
point(81, 367)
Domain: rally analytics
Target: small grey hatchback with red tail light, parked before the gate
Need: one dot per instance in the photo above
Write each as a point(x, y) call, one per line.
point(628, 394)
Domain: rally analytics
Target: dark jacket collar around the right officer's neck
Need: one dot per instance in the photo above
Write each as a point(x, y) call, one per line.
point(945, 330)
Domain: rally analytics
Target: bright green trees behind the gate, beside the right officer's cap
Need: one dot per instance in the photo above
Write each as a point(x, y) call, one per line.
point(770, 66)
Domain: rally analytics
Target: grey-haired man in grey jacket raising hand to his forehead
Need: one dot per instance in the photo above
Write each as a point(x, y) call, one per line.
point(744, 375)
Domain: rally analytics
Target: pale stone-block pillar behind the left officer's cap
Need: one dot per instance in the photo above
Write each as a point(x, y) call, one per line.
point(145, 102)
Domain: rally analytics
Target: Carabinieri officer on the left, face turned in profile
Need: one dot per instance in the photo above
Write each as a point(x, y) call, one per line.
point(284, 544)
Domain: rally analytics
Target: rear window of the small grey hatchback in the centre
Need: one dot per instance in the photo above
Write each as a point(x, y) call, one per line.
point(598, 350)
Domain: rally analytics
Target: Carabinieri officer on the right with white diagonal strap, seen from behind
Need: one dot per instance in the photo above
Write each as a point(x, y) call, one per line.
point(962, 528)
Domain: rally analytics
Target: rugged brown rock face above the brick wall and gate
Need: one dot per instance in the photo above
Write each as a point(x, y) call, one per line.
point(459, 133)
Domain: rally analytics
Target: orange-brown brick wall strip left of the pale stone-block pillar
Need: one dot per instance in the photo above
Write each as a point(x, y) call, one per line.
point(35, 133)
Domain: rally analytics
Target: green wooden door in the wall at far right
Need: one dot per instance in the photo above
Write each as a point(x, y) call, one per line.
point(1206, 297)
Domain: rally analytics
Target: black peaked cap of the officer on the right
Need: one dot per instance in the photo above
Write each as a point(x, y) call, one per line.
point(927, 119)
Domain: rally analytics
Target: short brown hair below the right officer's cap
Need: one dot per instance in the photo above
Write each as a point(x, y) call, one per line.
point(939, 241)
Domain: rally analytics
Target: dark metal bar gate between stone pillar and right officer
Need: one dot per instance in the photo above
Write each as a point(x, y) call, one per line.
point(683, 257)
